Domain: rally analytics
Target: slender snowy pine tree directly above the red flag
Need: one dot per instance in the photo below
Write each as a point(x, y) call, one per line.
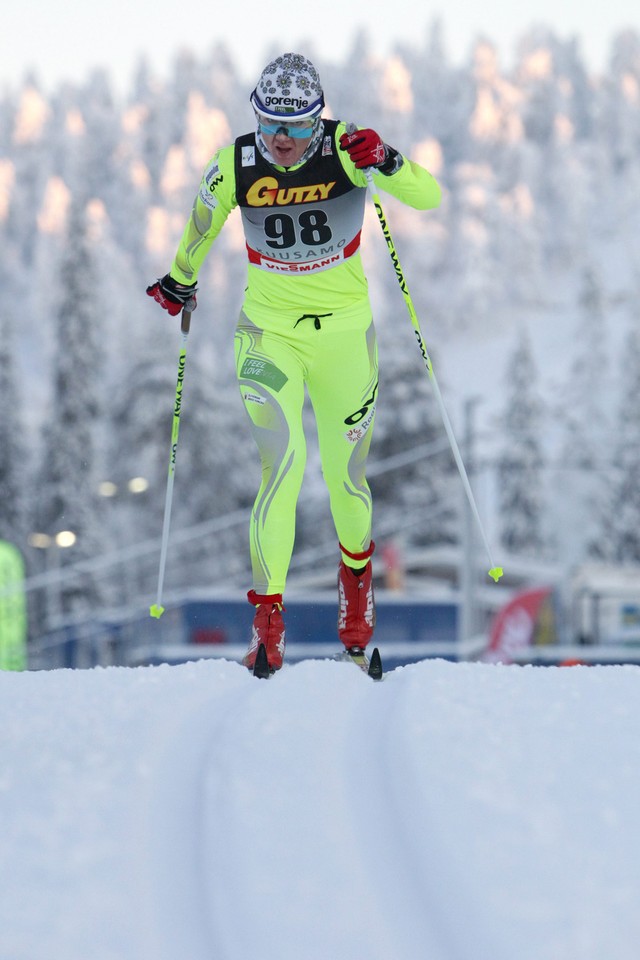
point(520, 465)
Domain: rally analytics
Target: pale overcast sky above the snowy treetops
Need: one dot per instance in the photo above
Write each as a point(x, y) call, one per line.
point(66, 39)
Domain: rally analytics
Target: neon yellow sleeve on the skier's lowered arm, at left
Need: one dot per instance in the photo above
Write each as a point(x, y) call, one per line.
point(213, 204)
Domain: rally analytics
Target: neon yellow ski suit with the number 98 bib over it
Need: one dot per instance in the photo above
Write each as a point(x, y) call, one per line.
point(306, 322)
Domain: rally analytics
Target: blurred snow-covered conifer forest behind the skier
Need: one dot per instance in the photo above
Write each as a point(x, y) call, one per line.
point(526, 282)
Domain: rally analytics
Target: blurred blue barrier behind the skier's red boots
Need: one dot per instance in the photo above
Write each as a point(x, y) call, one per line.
point(408, 630)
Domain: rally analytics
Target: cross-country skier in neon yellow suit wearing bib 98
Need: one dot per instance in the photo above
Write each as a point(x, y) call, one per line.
point(306, 322)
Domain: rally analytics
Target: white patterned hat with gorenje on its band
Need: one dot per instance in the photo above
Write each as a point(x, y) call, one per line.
point(289, 85)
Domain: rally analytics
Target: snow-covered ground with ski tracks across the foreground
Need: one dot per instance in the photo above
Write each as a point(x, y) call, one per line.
point(453, 812)
